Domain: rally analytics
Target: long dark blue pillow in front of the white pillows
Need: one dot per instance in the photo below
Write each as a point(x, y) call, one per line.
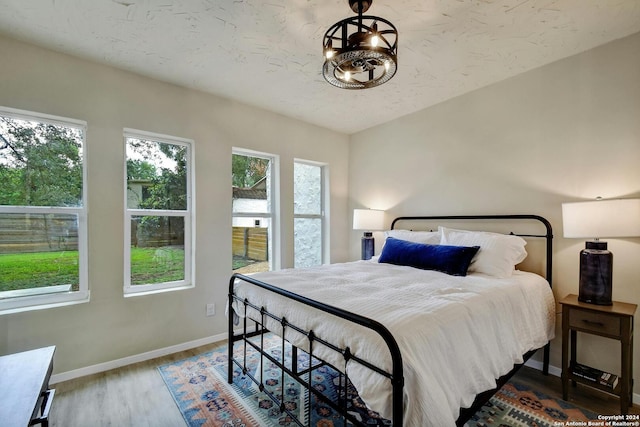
point(453, 260)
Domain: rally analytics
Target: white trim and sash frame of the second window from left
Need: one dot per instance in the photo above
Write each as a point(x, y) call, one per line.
point(188, 214)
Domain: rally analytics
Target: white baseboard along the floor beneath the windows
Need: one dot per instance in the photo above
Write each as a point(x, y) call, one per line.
point(118, 363)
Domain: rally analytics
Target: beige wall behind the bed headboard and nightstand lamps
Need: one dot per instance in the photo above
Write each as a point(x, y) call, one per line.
point(564, 132)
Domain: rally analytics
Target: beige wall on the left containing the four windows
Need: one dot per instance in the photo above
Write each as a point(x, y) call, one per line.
point(111, 327)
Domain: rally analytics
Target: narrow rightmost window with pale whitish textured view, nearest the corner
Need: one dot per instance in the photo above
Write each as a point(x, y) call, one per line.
point(308, 212)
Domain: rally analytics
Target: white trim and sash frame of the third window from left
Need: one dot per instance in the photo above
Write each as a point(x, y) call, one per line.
point(274, 206)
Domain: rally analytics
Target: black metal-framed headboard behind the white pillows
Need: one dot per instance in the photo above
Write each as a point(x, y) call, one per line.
point(529, 227)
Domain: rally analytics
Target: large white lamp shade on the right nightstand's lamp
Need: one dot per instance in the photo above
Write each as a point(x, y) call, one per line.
point(602, 218)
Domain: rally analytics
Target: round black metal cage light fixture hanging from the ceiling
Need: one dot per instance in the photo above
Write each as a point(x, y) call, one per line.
point(360, 52)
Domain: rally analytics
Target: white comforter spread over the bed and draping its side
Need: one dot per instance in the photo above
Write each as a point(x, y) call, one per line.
point(456, 334)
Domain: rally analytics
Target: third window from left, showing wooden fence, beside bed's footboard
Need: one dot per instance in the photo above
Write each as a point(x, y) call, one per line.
point(253, 239)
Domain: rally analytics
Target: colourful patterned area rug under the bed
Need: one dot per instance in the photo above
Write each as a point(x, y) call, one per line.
point(199, 387)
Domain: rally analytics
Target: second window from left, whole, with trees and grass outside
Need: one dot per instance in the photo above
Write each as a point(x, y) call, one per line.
point(158, 213)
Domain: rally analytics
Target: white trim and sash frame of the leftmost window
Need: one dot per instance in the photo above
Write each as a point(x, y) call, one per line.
point(58, 299)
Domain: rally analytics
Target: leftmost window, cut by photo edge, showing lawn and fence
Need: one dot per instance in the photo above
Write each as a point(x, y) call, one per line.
point(43, 227)
